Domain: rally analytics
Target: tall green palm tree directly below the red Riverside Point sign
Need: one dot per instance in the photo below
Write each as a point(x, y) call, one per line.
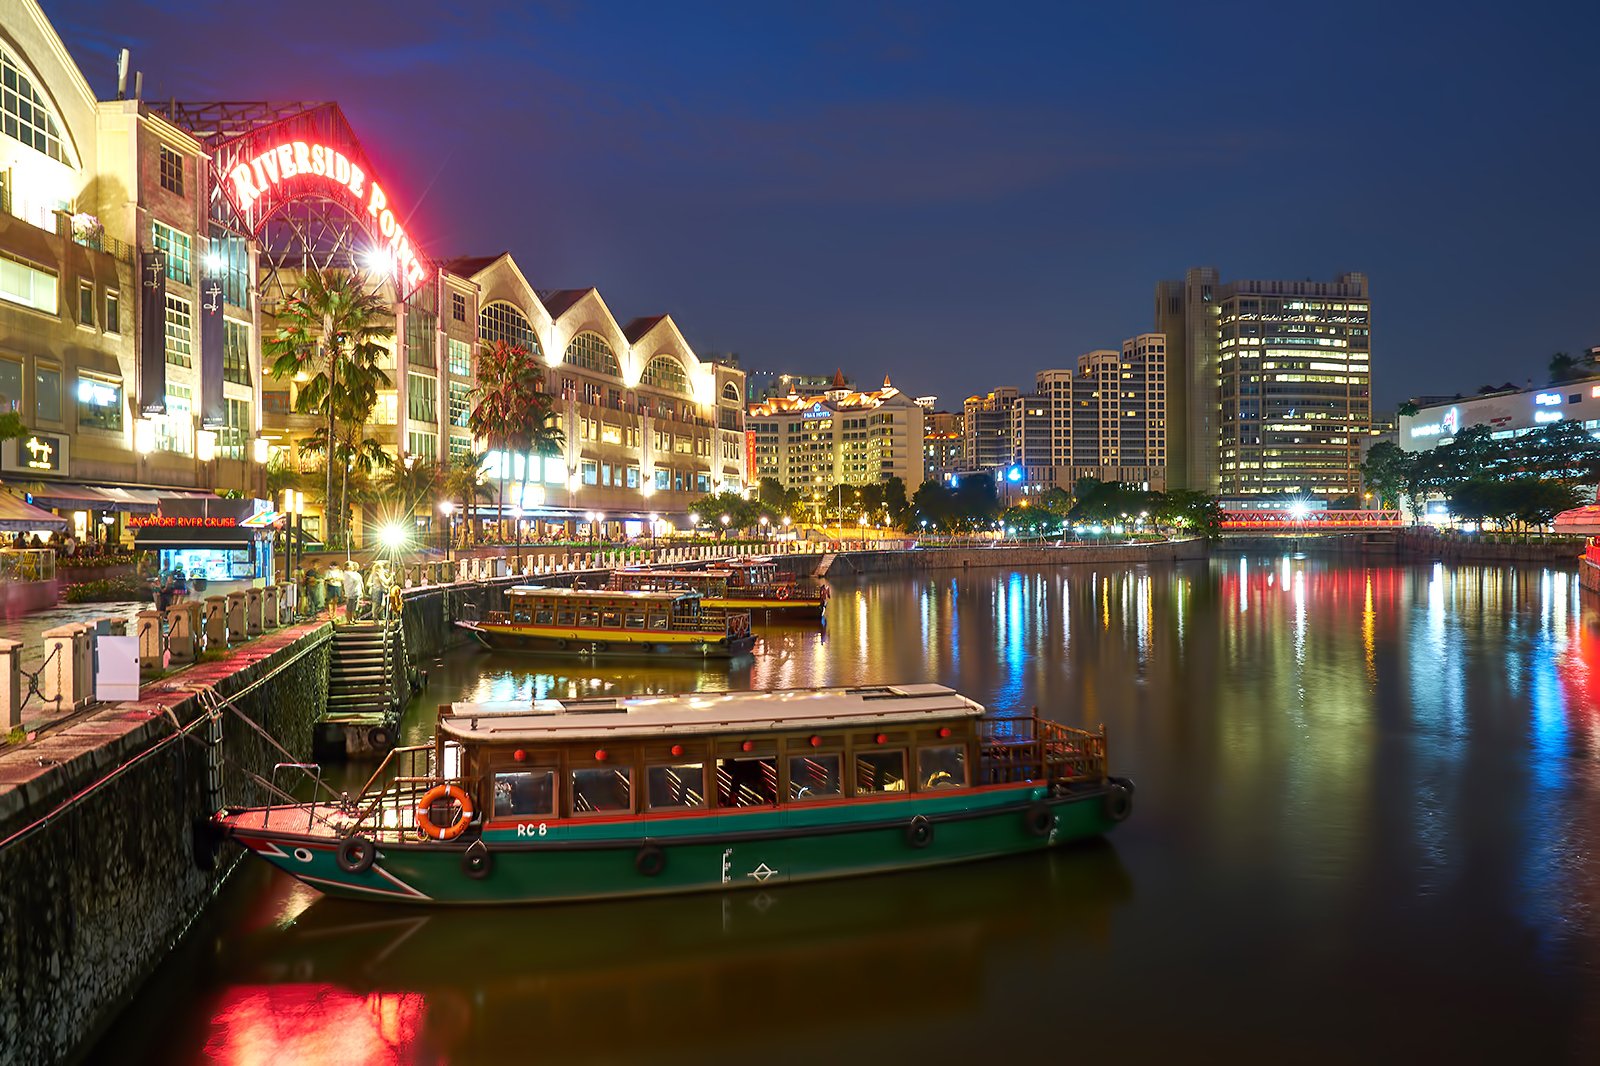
point(329, 329)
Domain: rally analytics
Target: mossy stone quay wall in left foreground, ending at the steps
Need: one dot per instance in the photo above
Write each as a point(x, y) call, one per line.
point(105, 859)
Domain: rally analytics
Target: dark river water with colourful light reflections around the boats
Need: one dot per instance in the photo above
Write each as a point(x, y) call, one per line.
point(1366, 828)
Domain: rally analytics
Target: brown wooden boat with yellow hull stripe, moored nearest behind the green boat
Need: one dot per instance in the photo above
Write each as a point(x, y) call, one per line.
point(614, 623)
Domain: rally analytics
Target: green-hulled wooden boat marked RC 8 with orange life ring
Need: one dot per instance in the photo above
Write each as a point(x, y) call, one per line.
point(586, 799)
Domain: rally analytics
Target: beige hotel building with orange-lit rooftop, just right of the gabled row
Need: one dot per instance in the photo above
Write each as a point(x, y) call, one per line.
point(839, 438)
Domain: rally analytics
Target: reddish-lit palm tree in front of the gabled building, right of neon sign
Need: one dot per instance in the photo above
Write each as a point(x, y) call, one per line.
point(511, 411)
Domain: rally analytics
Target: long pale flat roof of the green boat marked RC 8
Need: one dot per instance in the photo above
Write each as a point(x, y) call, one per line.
point(705, 713)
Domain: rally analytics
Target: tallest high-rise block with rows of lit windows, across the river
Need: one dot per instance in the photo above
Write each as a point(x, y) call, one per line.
point(1274, 382)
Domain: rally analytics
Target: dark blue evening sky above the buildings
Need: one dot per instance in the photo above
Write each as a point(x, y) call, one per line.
point(959, 194)
